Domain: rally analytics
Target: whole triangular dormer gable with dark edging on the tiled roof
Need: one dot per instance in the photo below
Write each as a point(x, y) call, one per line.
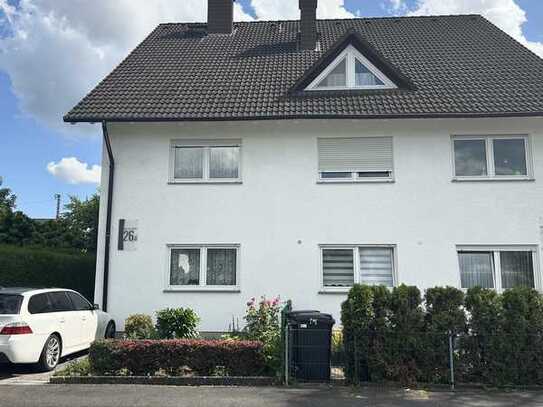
point(352, 64)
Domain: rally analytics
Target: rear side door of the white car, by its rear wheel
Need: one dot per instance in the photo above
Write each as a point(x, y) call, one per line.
point(68, 321)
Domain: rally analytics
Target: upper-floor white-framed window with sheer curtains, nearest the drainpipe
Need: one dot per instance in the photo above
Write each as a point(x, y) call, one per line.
point(205, 160)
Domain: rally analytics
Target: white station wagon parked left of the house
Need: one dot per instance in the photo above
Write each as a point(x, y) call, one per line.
point(41, 326)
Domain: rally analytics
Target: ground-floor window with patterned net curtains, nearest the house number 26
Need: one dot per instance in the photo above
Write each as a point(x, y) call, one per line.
point(196, 267)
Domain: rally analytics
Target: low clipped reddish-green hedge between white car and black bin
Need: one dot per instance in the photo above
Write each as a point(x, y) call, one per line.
point(173, 357)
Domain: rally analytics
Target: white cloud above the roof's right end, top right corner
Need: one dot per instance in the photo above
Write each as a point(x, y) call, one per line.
point(506, 14)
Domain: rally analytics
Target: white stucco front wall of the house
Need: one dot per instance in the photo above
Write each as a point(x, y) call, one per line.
point(423, 212)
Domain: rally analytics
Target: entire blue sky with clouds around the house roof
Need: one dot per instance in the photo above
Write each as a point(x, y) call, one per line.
point(53, 52)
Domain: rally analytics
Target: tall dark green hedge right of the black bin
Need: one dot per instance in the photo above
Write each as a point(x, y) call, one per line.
point(396, 336)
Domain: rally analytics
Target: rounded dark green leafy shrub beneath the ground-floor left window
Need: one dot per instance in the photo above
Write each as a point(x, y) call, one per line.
point(177, 323)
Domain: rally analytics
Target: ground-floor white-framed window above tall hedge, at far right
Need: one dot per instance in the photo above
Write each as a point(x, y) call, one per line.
point(498, 268)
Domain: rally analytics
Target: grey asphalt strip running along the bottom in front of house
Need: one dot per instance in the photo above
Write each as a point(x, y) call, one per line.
point(314, 396)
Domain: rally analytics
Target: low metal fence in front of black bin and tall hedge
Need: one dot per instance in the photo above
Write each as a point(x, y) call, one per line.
point(423, 357)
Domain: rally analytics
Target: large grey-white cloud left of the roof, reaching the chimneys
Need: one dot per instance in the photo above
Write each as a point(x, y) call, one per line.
point(55, 51)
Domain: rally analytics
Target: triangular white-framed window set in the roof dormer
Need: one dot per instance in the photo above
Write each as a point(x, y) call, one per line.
point(351, 70)
